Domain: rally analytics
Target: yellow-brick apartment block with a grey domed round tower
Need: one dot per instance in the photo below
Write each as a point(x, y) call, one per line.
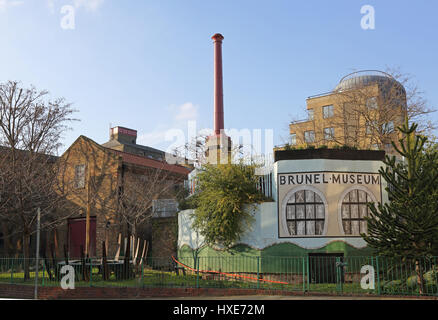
point(363, 111)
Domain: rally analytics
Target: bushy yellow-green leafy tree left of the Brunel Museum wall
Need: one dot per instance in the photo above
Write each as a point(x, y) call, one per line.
point(221, 216)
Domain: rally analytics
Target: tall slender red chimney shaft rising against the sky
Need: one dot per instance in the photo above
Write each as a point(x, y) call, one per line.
point(218, 85)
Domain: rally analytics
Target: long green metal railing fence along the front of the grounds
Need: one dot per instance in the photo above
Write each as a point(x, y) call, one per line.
point(323, 274)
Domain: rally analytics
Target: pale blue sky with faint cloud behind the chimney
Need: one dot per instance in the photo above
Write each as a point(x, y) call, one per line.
point(148, 65)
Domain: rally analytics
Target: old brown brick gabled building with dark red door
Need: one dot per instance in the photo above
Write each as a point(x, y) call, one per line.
point(95, 178)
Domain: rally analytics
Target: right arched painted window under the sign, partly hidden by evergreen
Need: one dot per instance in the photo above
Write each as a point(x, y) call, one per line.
point(354, 209)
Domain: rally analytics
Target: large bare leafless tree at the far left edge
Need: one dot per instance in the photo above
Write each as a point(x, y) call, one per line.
point(31, 128)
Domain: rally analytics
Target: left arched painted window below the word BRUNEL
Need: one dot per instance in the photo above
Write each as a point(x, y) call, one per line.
point(305, 213)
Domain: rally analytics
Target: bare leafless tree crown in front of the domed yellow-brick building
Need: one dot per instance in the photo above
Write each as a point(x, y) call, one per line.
point(367, 114)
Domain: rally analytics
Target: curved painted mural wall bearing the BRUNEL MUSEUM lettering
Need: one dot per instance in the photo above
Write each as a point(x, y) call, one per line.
point(318, 206)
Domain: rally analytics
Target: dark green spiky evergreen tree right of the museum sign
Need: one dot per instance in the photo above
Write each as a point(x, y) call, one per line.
point(407, 226)
